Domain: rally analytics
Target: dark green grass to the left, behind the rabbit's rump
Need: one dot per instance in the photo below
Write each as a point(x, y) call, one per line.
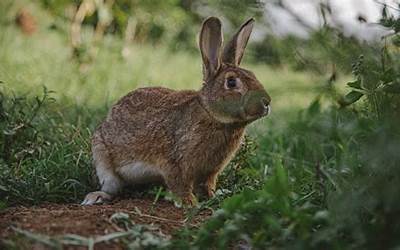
point(43, 156)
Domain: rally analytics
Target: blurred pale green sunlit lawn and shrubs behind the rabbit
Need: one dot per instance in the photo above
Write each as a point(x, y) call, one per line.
point(146, 43)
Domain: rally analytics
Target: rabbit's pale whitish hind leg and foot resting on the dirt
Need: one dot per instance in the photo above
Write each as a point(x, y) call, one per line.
point(110, 183)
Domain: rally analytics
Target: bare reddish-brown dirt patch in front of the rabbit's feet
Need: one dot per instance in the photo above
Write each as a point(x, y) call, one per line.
point(90, 221)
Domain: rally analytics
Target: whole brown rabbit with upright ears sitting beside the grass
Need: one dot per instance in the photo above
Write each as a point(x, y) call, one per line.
point(182, 138)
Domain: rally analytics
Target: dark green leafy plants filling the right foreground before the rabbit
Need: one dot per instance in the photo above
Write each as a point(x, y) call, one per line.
point(337, 180)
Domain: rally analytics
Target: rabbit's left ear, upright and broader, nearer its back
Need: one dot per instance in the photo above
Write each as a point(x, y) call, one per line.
point(210, 46)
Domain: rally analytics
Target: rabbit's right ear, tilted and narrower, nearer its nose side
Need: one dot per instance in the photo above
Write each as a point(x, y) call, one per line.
point(234, 50)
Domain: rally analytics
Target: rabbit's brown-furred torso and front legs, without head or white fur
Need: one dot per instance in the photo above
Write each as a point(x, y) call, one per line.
point(172, 131)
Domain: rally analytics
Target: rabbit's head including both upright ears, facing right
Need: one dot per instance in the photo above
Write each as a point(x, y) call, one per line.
point(231, 94)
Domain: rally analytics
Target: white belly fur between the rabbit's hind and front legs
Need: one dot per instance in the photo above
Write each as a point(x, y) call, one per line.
point(139, 173)
